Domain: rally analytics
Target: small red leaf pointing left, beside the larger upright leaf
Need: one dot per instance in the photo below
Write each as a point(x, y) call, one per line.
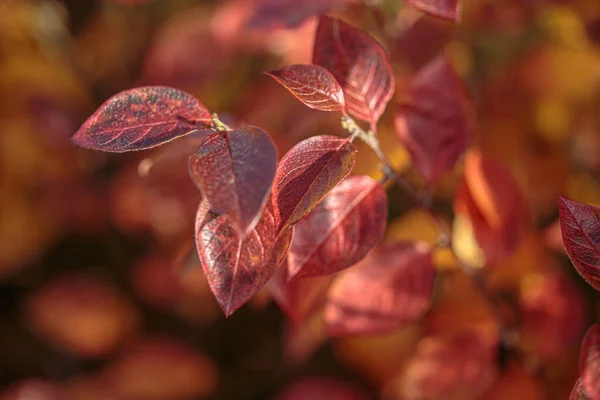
point(311, 84)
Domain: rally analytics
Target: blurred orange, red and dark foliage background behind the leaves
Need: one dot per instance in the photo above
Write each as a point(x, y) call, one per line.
point(101, 294)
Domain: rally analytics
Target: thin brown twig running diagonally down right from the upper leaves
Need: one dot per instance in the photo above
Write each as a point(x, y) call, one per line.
point(508, 337)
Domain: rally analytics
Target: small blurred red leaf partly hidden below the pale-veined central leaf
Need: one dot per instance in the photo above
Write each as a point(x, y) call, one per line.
point(300, 298)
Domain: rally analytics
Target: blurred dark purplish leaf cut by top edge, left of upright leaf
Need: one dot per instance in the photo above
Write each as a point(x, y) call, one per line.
point(290, 13)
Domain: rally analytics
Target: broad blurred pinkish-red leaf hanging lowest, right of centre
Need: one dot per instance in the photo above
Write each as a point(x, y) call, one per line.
point(390, 288)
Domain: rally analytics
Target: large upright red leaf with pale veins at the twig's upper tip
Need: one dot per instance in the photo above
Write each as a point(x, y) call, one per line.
point(359, 64)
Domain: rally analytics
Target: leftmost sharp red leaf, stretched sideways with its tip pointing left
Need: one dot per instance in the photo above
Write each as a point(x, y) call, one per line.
point(141, 118)
